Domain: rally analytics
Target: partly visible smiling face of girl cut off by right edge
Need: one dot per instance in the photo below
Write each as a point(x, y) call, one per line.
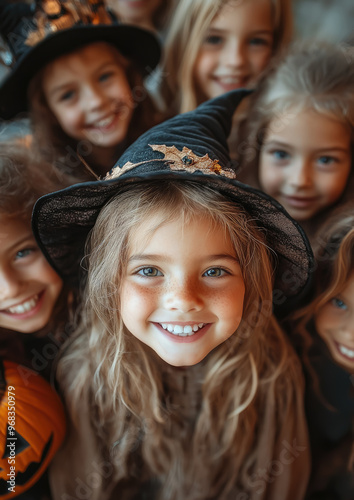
point(335, 324)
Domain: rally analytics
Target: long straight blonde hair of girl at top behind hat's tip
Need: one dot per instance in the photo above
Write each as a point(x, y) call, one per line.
point(189, 24)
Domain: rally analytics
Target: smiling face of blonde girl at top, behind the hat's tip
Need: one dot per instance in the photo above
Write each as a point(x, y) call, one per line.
point(236, 49)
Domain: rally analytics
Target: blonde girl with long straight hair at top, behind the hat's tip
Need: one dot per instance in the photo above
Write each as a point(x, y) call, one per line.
point(213, 47)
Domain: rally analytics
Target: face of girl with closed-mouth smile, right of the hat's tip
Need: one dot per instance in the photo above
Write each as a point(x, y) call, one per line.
point(305, 162)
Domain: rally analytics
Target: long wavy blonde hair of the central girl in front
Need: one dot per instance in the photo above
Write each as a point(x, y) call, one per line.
point(126, 389)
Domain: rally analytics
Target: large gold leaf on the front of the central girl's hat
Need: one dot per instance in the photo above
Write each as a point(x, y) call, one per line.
point(190, 162)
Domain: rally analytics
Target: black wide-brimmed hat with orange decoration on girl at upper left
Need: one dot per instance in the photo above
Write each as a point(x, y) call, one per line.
point(36, 34)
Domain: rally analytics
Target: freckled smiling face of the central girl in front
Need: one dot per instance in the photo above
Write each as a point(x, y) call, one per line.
point(183, 291)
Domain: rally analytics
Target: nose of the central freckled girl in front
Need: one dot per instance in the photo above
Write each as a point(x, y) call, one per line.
point(183, 296)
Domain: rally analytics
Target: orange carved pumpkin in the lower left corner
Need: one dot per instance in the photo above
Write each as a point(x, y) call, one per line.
point(32, 427)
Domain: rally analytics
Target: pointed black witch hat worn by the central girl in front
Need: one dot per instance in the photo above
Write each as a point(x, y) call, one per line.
point(189, 146)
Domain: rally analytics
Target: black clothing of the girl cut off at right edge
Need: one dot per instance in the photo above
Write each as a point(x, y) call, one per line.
point(330, 417)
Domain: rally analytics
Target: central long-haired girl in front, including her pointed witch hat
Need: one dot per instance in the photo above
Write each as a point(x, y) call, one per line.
point(179, 381)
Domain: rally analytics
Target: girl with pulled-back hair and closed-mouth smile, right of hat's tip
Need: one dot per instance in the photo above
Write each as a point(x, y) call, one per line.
point(298, 141)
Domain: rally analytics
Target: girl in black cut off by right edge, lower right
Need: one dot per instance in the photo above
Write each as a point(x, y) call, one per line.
point(327, 329)
